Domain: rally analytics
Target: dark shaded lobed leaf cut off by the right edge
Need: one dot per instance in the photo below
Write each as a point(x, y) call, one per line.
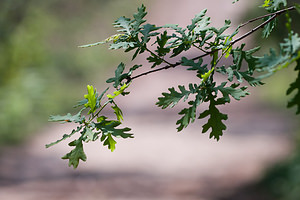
point(295, 101)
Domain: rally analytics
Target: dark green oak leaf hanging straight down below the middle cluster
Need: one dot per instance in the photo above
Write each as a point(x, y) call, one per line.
point(215, 120)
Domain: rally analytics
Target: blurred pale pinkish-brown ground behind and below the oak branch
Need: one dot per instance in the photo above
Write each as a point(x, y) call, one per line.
point(159, 163)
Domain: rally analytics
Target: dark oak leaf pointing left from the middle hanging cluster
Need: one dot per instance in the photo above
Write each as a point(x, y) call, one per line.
point(172, 98)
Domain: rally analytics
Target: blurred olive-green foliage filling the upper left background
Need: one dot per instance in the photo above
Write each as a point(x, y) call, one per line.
point(41, 68)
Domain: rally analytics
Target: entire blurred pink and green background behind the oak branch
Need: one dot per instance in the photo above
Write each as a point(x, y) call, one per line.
point(42, 72)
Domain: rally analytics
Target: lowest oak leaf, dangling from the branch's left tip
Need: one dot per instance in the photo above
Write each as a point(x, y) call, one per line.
point(76, 154)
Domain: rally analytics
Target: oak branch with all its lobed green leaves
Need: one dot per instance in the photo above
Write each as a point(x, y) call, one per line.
point(169, 41)
